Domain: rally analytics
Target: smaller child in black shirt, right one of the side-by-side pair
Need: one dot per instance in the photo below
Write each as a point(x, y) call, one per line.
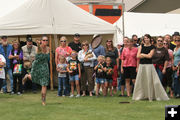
point(108, 69)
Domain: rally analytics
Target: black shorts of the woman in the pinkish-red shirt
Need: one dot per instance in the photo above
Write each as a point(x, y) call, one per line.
point(129, 72)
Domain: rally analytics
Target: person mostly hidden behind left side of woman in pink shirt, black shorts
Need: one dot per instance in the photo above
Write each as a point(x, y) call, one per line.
point(125, 45)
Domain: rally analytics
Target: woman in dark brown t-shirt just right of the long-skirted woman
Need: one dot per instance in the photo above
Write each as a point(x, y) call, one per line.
point(160, 58)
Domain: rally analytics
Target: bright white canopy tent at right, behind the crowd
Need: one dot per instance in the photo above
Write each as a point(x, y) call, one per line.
point(143, 23)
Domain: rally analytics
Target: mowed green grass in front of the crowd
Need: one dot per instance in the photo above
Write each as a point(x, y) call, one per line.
point(28, 107)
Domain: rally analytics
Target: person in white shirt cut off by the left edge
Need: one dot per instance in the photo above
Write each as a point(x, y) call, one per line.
point(2, 71)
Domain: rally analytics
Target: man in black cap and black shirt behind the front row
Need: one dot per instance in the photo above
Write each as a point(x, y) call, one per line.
point(75, 45)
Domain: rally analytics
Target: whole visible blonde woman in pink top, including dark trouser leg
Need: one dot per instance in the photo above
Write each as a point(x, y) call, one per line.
point(63, 50)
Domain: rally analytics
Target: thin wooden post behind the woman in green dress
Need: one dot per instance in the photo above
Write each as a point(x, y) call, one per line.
point(51, 65)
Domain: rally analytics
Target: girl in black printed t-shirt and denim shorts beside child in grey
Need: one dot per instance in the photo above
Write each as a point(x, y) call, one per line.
point(74, 72)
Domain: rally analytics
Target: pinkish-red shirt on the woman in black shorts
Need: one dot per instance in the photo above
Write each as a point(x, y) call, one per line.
point(129, 56)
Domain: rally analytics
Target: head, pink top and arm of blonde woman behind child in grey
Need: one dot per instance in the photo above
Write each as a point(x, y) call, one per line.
point(62, 50)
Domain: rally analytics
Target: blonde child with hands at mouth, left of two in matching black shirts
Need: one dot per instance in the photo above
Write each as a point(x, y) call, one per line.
point(100, 74)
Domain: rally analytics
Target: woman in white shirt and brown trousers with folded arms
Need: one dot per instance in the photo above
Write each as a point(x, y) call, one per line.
point(87, 57)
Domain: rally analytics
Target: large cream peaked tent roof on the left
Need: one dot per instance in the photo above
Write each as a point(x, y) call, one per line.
point(52, 17)
